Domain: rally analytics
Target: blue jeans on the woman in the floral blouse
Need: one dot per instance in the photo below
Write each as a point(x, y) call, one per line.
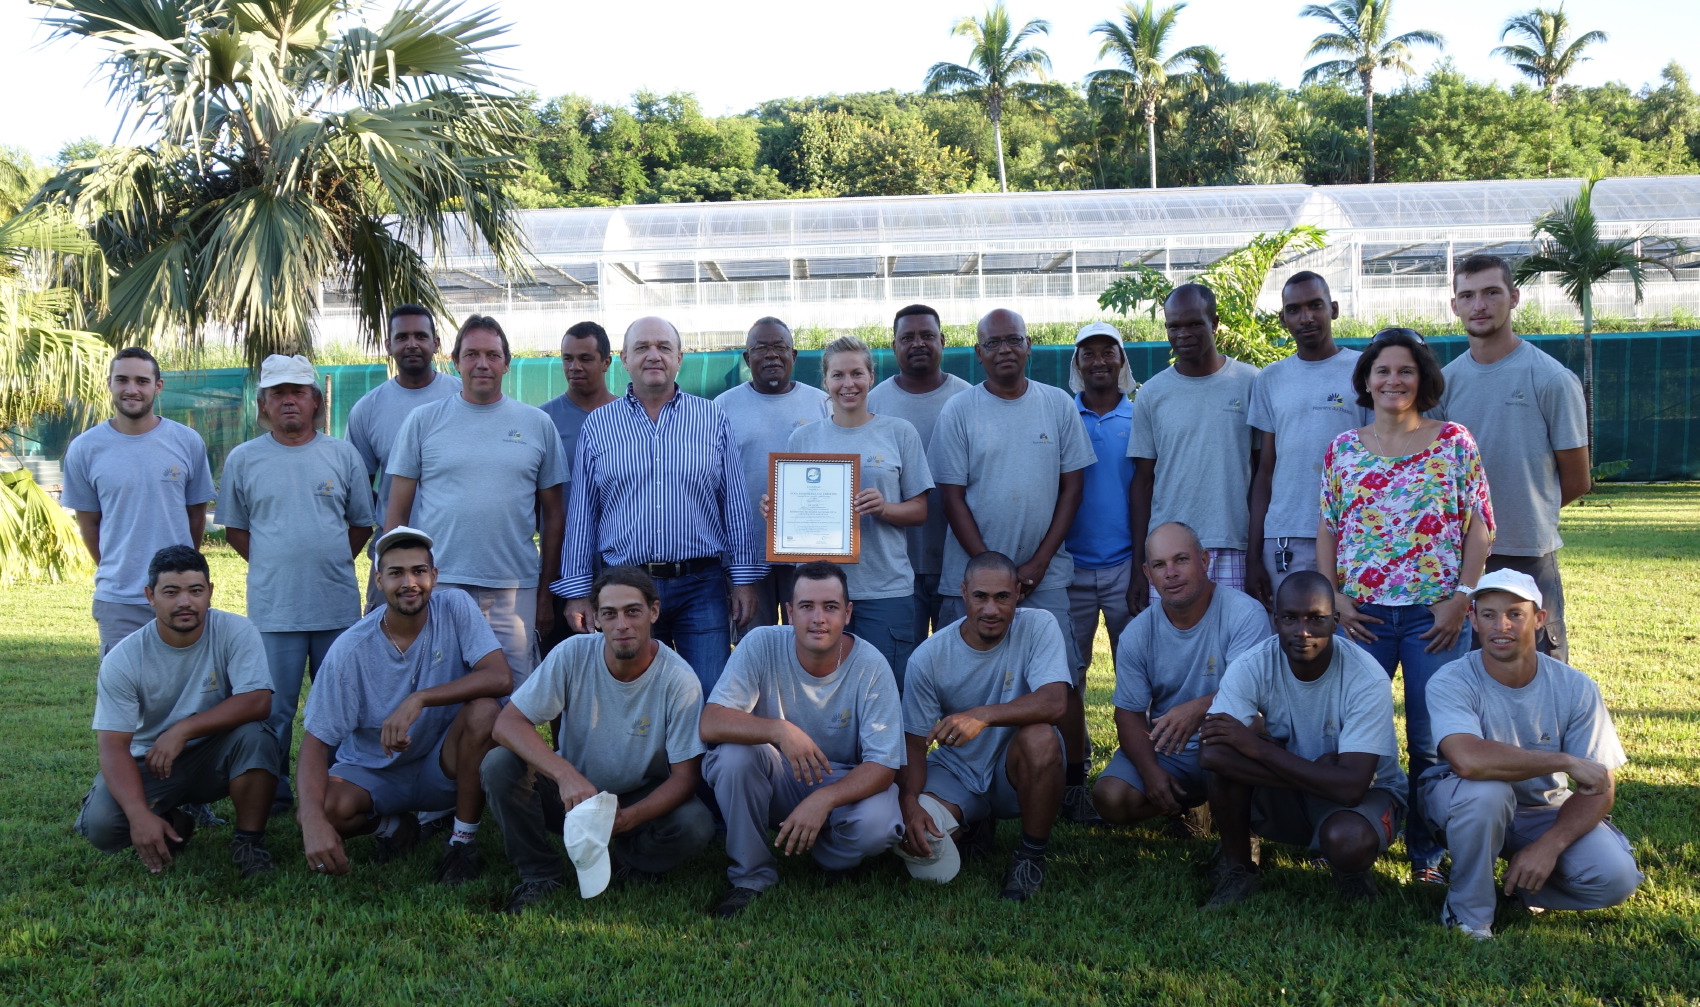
point(1400, 644)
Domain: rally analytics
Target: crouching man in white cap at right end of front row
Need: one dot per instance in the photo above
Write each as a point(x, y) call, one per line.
point(1517, 729)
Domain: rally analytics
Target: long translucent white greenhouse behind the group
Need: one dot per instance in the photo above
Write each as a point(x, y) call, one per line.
point(713, 268)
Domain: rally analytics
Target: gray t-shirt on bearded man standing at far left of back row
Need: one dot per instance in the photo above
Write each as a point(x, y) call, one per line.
point(142, 486)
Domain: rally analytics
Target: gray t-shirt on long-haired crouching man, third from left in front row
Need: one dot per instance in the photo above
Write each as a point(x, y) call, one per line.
point(620, 736)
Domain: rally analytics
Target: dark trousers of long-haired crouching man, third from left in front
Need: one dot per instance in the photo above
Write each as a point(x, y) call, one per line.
point(530, 811)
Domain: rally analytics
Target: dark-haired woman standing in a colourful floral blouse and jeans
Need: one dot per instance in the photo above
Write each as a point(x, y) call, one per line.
point(1405, 537)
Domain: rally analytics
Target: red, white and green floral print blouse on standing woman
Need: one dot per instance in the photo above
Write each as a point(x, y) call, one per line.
point(1402, 521)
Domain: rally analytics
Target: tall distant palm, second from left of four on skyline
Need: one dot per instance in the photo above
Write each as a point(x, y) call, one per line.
point(1147, 76)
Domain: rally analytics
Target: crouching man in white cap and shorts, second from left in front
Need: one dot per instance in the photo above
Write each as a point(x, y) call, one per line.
point(405, 700)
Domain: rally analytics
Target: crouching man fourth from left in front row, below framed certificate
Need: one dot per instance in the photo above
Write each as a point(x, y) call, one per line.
point(808, 736)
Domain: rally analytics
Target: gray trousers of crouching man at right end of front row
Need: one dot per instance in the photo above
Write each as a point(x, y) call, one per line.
point(1482, 822)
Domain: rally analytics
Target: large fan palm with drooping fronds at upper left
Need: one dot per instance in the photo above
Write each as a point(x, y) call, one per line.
point(290, 149)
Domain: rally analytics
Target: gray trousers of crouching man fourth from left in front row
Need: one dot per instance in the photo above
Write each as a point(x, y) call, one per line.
point(756, 790)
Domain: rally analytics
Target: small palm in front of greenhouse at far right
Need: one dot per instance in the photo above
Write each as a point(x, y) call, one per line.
point(1568, 246)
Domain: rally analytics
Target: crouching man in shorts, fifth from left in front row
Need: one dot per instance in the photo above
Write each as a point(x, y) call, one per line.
point(990, 690)
